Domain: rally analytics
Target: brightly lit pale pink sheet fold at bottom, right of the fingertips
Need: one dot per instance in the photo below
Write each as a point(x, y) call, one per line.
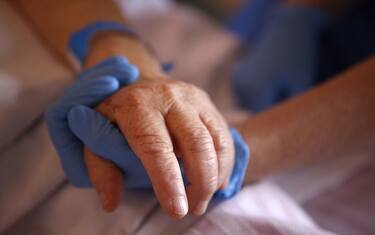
point(260, 209)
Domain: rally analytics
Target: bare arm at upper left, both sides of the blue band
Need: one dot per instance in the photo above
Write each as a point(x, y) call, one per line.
point(56, 20)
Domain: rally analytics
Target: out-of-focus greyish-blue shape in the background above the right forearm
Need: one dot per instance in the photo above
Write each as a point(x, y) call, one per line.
point(284, 61)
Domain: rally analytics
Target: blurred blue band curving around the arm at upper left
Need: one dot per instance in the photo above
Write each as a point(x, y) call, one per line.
point(79, 41)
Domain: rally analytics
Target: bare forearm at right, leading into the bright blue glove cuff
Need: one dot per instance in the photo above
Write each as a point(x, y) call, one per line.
point(332, 120)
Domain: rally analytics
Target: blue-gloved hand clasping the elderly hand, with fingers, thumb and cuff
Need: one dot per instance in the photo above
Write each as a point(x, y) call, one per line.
point(70, 123)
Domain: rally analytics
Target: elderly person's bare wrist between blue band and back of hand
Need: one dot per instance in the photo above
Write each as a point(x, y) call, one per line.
point(108, 44)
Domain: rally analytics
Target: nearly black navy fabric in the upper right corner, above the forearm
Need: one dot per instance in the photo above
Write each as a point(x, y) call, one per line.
point(347, 41)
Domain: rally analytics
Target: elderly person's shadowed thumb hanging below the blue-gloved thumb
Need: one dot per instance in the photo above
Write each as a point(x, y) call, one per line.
point(106, 178)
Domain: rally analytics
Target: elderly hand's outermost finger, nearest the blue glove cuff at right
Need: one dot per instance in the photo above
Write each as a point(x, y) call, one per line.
point(223, 143)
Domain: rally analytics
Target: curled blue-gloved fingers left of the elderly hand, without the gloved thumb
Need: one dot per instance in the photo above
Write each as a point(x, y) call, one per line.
point(92, 86)
